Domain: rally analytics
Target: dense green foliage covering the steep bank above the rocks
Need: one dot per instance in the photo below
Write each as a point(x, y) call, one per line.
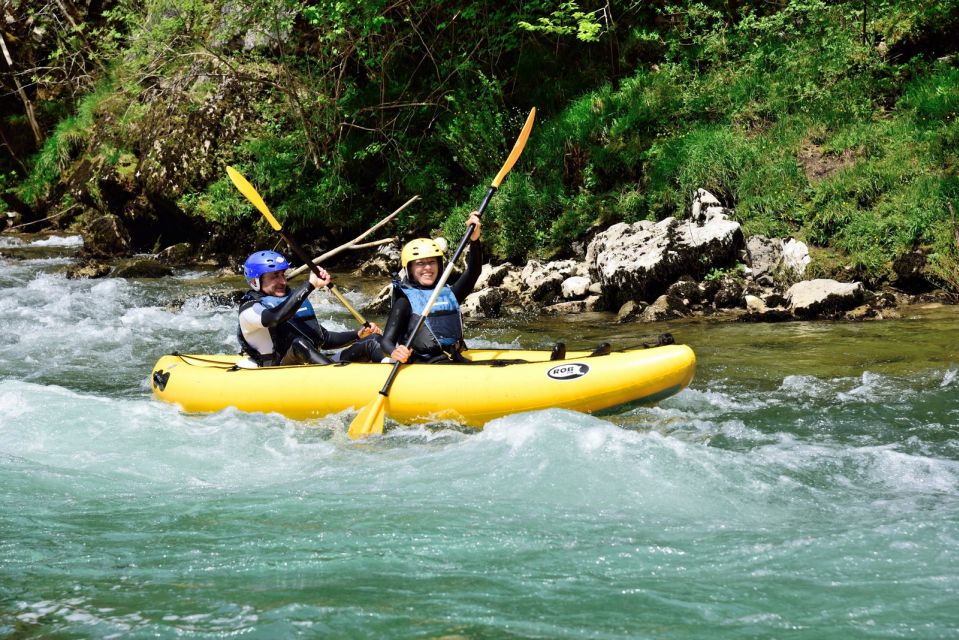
point(832, 121)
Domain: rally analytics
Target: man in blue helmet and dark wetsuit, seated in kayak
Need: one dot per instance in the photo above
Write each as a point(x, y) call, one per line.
point(279, 327)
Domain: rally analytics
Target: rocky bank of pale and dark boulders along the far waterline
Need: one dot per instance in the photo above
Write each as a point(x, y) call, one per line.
point(701, 265)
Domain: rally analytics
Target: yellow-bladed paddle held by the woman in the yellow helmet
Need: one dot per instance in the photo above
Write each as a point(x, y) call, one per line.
point(370, 418)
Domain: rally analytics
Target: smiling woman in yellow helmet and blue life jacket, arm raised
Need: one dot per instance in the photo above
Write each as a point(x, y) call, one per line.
point(440, 339)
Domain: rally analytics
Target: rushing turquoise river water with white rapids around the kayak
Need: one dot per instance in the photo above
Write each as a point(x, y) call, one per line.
point(806, 485)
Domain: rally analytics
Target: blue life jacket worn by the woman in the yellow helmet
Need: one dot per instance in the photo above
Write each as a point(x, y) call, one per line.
point(443, 329)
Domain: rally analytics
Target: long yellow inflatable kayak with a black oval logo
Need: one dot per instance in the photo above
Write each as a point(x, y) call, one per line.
point(495, 383)
